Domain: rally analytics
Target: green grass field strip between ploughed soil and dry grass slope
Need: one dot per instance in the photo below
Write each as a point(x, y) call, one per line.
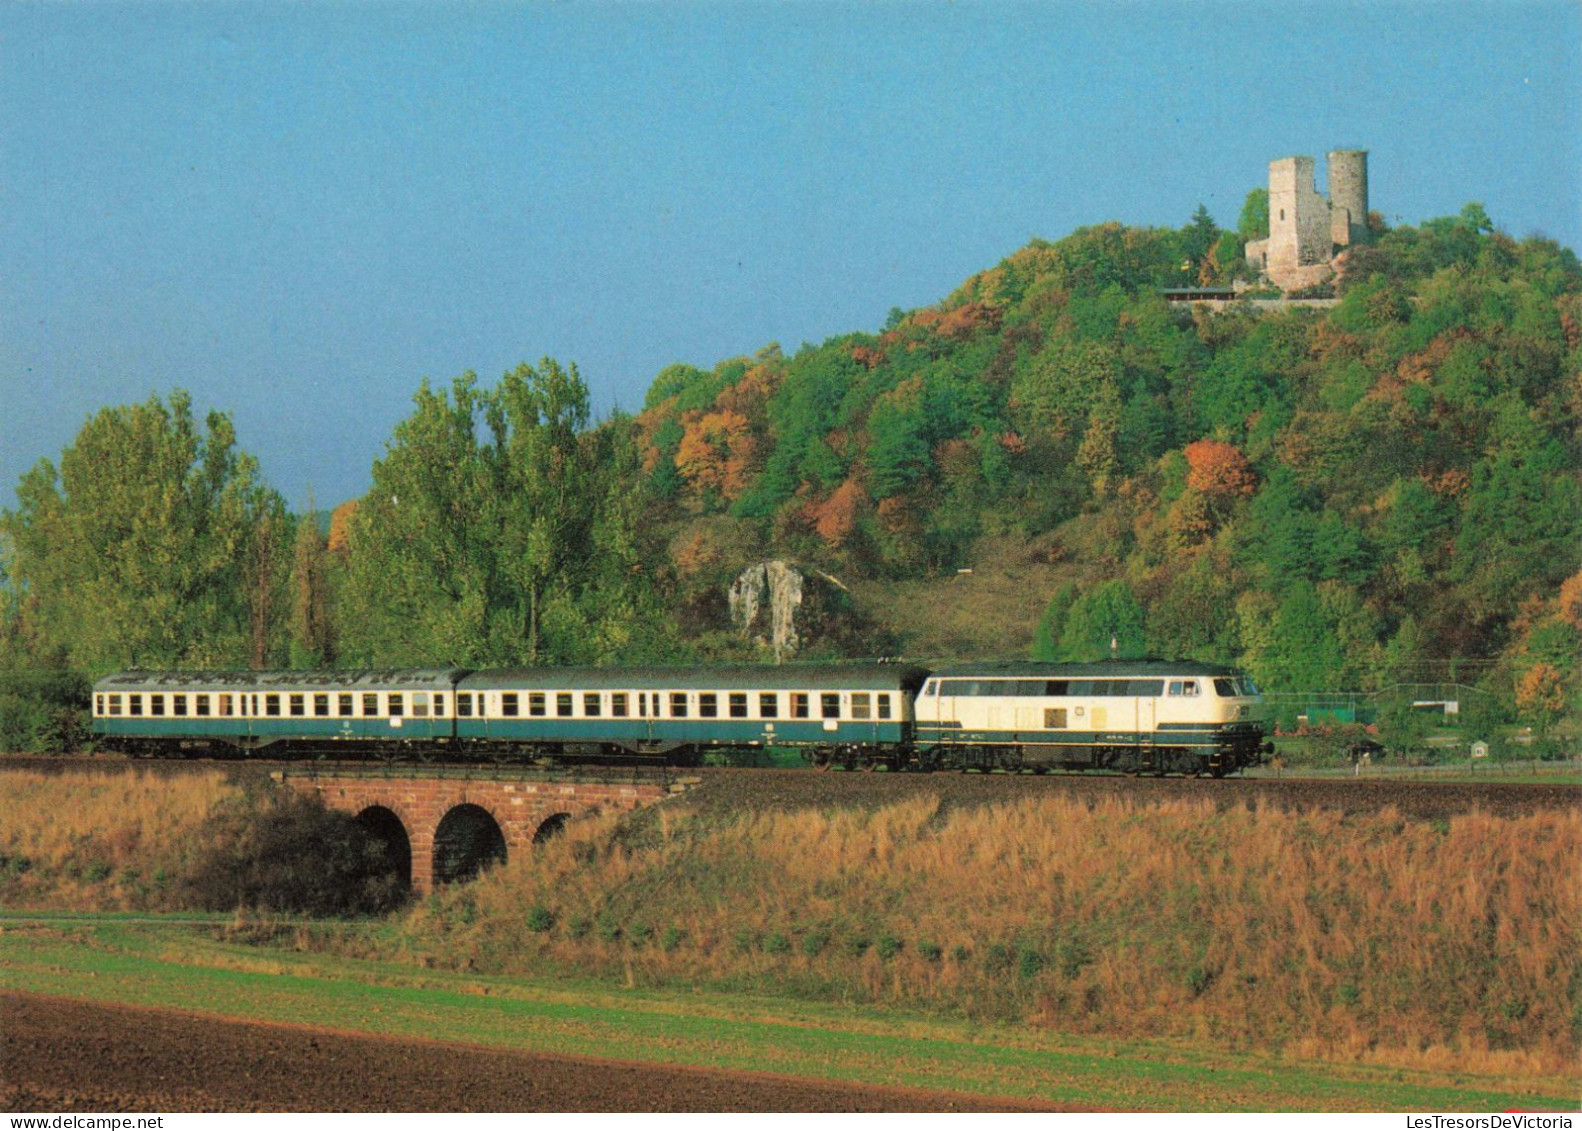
point(181, 967)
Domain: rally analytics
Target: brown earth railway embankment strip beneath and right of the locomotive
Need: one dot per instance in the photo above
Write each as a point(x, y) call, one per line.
point(721, 790)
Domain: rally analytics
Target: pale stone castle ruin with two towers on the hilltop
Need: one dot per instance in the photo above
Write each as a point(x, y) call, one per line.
point(1308, 233)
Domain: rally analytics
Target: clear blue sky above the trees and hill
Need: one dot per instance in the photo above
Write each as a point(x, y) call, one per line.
point(298, 211)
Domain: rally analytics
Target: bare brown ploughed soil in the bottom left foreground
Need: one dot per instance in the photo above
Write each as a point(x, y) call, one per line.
point(62, 1056)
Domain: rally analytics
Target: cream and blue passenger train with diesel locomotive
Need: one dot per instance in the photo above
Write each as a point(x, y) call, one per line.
point(1137, 717)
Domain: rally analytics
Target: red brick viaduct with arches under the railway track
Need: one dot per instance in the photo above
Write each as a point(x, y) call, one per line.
point(447, 825)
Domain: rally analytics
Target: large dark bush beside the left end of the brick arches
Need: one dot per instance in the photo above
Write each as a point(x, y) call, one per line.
point(287, 853)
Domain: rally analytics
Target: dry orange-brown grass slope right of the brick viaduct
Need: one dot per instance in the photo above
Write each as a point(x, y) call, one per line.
point(1366, 939)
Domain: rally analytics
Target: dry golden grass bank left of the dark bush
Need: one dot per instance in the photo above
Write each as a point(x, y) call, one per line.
point(97, 841)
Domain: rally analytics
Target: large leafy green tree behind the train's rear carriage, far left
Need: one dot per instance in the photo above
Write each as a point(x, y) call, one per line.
point(137, 553)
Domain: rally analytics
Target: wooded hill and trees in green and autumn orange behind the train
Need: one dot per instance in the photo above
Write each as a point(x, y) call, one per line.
point(1336, 499)
